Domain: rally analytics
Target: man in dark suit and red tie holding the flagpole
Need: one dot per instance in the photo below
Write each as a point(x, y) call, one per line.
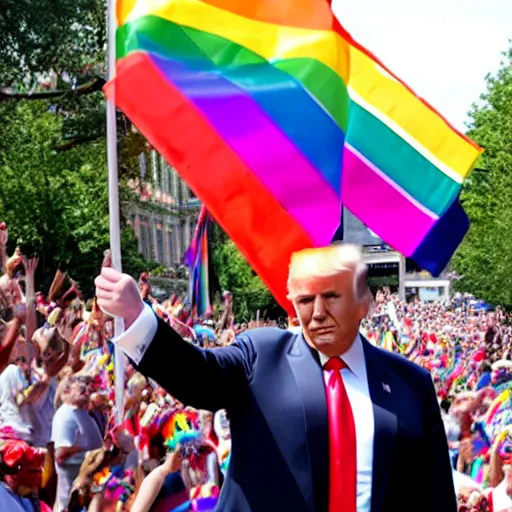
point(320, 420)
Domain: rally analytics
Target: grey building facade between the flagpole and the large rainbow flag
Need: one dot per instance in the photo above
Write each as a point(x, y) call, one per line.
point(165, 217)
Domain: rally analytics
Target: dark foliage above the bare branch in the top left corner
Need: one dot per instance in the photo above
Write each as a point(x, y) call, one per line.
point(60, 35)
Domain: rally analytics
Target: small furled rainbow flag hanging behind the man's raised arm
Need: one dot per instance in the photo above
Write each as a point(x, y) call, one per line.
point(196, 258)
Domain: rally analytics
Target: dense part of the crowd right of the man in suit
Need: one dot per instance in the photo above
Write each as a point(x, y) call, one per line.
point(467, 350)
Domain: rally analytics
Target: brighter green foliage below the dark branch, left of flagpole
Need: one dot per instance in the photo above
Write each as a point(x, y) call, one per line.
point(56, 203)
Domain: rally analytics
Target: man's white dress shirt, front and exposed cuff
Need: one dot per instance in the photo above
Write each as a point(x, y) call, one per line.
point(135, 341)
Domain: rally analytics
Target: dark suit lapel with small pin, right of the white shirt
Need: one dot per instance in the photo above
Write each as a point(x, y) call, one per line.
point(385, 421)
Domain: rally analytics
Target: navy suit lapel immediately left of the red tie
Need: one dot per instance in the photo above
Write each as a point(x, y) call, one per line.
point(308, 376)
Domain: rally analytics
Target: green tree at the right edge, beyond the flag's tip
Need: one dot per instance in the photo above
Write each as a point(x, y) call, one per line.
point(484, 260)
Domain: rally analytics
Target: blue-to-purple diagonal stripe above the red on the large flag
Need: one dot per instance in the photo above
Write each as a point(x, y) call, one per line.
point(259, 142)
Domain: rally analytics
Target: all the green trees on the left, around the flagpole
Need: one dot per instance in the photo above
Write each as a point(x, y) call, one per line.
point(53, 175)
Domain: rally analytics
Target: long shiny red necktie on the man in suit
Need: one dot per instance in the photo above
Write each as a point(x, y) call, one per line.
point(342, 442)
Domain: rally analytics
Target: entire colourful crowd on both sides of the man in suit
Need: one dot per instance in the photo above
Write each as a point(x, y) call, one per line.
point(62, 447)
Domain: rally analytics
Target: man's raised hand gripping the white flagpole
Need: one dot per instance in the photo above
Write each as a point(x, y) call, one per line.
point(118, 295)
